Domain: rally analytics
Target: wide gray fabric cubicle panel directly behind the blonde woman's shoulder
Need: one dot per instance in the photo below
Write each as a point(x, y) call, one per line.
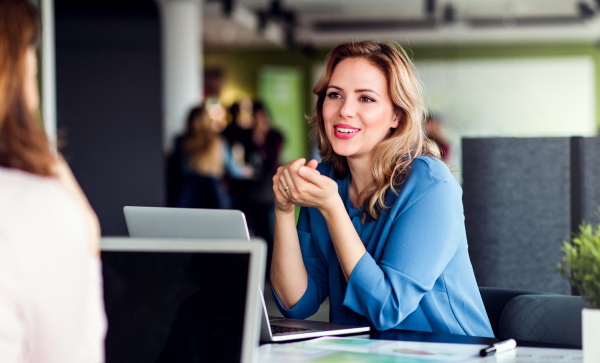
point(517, 210)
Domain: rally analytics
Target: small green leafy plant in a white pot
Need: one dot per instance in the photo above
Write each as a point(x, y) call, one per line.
point(581, 266)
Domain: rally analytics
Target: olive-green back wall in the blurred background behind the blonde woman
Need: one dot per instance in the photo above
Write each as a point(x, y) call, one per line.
point(241, 68)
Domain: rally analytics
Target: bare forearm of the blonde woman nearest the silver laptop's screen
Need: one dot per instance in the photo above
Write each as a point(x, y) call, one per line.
point(288, 273)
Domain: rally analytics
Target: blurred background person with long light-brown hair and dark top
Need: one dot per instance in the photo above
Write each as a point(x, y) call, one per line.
point(199, 162)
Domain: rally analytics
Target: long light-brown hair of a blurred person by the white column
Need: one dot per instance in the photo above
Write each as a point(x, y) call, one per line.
point(203, 145)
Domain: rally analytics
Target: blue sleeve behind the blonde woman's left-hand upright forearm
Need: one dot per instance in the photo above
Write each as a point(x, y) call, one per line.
point(316, 269)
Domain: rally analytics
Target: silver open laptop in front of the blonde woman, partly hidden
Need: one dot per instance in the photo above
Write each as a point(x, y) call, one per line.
point(220, 223)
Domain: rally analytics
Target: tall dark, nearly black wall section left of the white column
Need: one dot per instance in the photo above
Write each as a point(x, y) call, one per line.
point(110, 117)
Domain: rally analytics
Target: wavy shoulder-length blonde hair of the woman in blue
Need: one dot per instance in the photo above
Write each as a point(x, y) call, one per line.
point(393, 156)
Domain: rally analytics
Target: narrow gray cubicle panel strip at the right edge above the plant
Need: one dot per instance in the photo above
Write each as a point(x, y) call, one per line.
point(590, 177)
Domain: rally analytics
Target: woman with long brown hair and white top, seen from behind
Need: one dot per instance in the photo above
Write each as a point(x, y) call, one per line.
point(51, 305)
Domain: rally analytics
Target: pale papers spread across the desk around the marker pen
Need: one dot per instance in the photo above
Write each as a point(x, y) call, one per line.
point(334, 350)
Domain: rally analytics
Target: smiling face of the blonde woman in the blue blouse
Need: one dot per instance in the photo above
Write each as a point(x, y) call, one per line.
point(358, 111)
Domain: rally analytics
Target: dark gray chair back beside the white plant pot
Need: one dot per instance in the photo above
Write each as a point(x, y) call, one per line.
point(552, 319)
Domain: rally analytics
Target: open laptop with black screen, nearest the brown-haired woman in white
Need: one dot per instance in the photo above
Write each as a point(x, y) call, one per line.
point(176, 300)
